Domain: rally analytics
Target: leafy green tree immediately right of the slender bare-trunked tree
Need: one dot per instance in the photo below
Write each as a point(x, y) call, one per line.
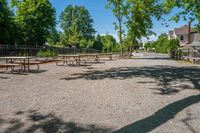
point(139, 19)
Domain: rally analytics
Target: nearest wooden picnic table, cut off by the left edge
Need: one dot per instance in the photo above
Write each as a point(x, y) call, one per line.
point(22, 60)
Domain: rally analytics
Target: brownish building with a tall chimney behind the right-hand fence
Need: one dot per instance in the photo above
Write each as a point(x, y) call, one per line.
point(185, 34)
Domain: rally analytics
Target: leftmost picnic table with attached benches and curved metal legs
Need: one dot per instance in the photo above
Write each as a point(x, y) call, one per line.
point(19, 61)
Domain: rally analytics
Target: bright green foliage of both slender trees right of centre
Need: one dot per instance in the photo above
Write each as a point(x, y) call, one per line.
point(137, 16)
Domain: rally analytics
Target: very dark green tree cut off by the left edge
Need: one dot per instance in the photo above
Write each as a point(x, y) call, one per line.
point(7, 25)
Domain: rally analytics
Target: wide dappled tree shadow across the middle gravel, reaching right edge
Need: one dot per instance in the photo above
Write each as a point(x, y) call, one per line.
point(170, 80)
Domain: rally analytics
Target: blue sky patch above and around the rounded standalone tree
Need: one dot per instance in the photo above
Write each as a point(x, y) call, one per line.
point(103, 18)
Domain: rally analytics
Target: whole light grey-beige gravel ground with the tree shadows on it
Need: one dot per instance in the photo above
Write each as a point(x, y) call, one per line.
point(146, 94)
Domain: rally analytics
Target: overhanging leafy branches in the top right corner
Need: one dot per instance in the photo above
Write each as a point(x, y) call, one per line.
point(190, 10)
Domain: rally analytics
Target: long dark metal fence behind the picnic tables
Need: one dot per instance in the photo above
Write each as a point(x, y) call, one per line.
point(6, 50)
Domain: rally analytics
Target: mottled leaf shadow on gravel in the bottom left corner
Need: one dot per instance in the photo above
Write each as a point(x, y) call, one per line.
point(47, 123)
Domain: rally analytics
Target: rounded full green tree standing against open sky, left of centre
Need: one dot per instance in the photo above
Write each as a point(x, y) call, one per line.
point(77, 24)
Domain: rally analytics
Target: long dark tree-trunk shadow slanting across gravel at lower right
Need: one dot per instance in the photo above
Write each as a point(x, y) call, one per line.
point(160, 117)
